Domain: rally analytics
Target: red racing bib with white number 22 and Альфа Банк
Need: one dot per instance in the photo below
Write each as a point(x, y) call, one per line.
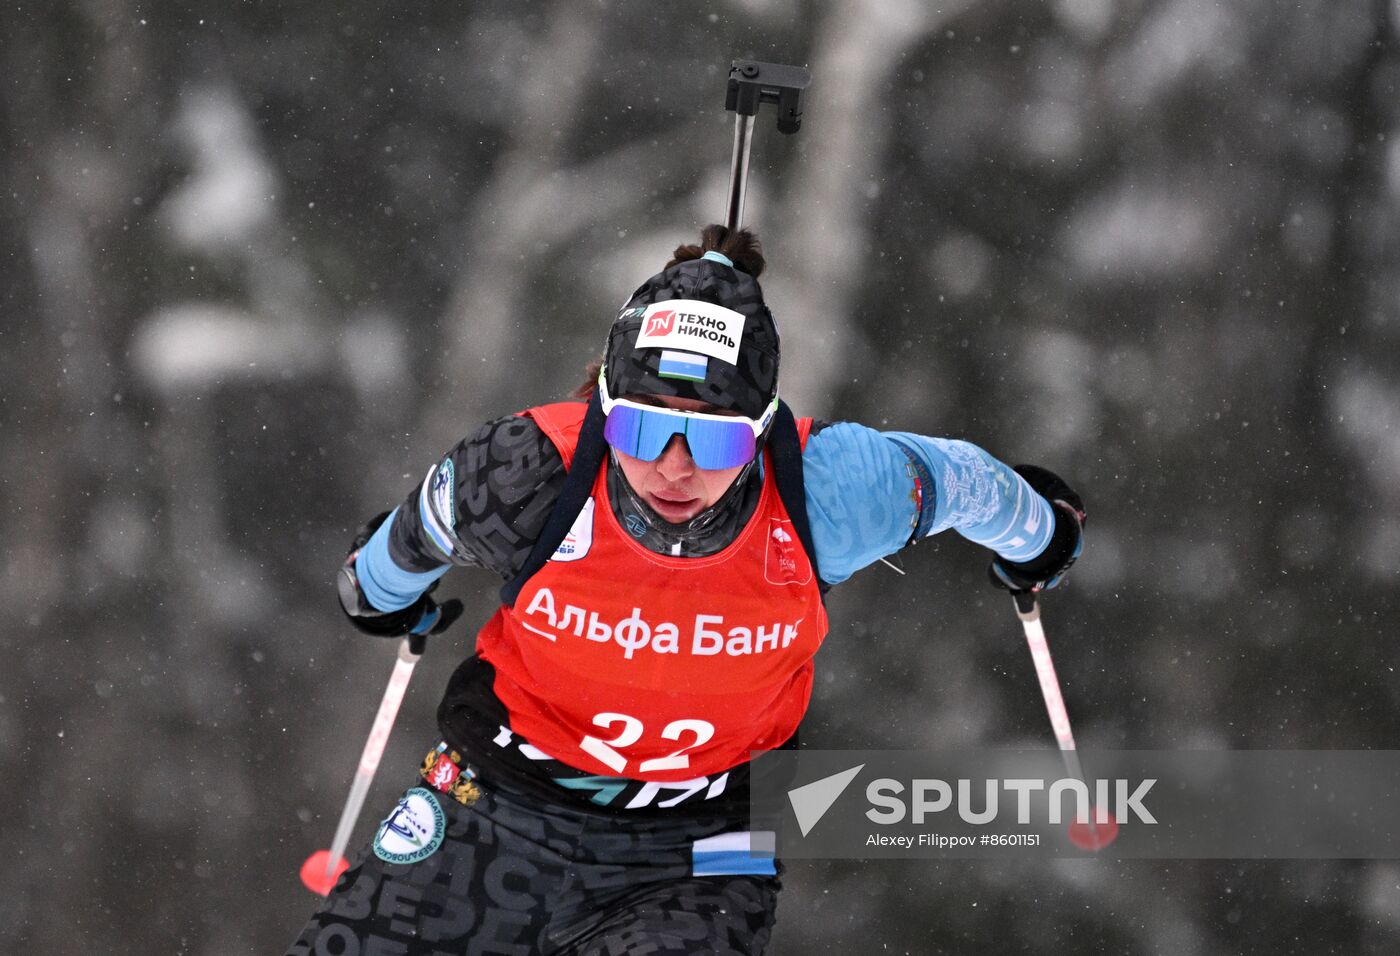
point(625, 663)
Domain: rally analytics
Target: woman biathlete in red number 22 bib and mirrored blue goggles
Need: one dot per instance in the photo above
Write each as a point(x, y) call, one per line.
point(666, 544)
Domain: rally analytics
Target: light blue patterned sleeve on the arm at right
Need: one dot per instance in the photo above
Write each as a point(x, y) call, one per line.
point(870, 493)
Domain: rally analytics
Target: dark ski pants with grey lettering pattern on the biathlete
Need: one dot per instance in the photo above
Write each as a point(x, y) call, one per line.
point(516, 876)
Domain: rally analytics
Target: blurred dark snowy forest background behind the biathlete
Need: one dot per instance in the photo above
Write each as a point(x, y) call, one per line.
point(264, 262)
